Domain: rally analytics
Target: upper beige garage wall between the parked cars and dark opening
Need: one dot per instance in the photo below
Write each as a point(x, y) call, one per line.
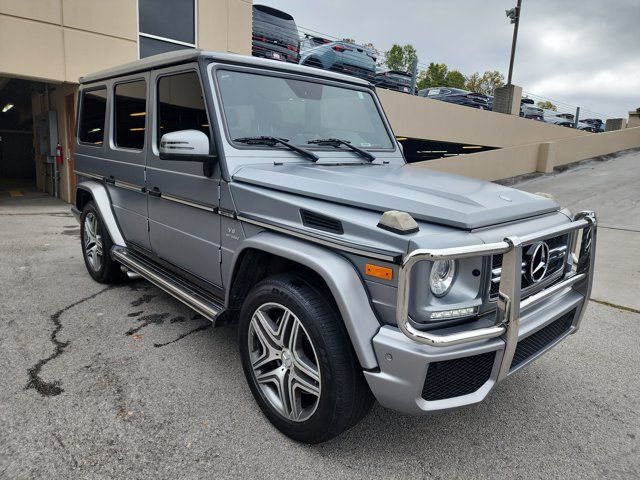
point(419, 117)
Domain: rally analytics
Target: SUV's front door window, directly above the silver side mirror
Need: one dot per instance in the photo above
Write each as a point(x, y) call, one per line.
point(181, 105)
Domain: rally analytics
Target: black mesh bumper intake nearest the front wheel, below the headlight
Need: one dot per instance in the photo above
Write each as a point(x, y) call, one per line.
point(454, 378)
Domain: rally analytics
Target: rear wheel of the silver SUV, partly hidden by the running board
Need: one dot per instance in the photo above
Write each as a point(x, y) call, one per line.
point(96, 245)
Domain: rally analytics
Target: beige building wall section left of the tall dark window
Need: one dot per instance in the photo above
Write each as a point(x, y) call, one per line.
point(60, 40)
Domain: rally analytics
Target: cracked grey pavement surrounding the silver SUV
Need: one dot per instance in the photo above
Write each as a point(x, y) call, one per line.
point(125, 382)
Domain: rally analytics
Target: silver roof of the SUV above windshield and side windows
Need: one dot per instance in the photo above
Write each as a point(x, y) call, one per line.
point(191, 55)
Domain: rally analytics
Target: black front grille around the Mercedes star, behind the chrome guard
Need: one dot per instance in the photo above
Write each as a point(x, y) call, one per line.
point(558, 248)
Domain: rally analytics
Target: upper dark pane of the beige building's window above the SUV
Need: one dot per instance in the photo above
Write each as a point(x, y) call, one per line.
point(174, 19)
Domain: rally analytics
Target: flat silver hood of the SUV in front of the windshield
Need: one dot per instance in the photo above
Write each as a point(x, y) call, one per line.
point(427, 195)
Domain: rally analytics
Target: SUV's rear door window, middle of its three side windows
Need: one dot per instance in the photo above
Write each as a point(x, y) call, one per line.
point(130, 114)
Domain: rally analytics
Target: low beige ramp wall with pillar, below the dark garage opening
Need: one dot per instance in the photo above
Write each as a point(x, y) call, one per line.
point(534, 157)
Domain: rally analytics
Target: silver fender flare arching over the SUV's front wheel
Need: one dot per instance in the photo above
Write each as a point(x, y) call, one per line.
point(342, 279)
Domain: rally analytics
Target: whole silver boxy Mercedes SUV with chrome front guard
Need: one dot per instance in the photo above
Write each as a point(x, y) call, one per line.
point(276, 196)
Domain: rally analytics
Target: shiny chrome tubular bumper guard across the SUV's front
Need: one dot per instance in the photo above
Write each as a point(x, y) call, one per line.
point(578, 275)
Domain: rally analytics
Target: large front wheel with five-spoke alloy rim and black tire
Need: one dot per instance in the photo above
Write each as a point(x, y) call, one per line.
point(309, 351)
